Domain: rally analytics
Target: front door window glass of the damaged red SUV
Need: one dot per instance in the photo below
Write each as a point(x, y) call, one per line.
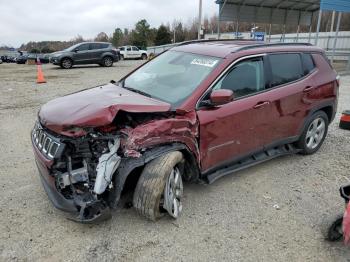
point(244, 78)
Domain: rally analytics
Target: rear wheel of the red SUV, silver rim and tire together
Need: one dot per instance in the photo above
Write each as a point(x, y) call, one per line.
point(314, 133)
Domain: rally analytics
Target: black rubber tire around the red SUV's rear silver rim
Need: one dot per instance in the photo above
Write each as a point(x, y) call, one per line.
point(303, 140)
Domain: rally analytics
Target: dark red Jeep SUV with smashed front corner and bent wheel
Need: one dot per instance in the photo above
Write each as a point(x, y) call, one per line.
point(197, 112)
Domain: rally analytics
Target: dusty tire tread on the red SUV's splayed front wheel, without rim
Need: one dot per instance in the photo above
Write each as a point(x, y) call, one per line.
point(150, 187)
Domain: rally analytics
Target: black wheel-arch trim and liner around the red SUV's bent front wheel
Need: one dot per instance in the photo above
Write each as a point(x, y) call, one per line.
point(128, 164)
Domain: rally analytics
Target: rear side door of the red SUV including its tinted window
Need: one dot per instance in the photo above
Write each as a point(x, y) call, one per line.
point(290, 79)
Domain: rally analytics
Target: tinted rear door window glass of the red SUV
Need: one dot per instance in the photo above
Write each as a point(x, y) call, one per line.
point(285, 68)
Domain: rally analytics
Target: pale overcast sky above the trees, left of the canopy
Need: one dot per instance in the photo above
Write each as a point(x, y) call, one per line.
point(36, 20)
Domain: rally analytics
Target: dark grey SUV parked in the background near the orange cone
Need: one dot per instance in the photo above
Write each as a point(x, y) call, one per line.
point(100, 53)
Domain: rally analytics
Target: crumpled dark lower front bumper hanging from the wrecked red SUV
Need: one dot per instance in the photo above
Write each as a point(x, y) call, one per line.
point(75, 209)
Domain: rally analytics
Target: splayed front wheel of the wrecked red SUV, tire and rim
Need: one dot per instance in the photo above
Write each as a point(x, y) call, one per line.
point(160, 187)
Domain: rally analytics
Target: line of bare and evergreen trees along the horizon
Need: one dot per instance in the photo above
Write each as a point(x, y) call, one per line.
point(143, 35)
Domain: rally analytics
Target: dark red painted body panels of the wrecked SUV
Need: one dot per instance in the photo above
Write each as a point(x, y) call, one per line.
point(214, 135)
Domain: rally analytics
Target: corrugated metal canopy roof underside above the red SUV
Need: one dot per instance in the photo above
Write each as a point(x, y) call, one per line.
point(291, 12)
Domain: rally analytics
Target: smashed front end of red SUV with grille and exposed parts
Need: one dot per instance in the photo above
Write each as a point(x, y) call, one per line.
point(80, 169)
